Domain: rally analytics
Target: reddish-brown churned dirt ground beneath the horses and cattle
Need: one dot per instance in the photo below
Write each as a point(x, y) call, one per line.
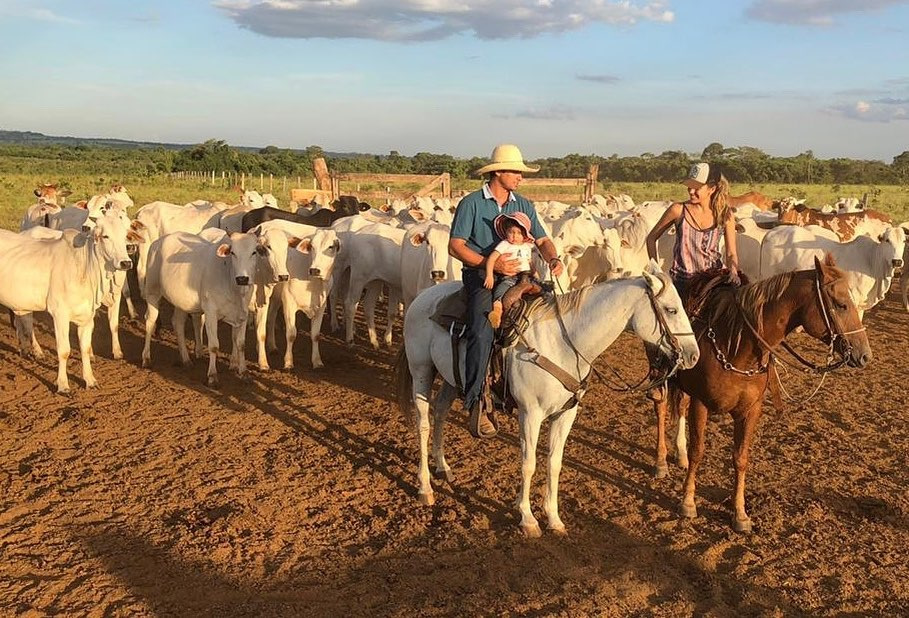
point(293, 494)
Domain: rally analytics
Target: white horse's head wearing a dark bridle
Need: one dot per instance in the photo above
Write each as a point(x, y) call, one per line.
point(663, 323)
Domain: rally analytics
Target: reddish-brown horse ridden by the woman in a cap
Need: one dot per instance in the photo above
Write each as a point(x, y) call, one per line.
point(739, 330)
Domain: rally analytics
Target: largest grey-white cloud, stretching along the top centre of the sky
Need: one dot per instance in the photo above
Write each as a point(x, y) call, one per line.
point(427, 20)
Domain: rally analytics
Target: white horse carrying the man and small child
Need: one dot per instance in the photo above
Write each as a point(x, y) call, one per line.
point(593, 318)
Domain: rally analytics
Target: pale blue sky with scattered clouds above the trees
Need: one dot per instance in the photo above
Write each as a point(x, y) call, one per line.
point(459, 76)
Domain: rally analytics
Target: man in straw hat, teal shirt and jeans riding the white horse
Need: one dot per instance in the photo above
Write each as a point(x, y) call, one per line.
point(473, 238)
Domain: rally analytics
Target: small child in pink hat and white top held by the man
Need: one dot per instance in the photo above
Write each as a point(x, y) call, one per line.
point(517, 244)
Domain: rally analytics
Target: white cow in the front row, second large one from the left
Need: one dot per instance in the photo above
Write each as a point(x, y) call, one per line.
point(198, 276)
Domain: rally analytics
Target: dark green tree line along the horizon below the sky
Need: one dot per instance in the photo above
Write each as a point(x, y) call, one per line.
point(744, 164)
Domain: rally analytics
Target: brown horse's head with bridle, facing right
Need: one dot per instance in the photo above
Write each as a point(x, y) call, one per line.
point(833, 316)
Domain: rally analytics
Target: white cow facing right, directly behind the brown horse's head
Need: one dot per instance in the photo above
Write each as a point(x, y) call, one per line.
point(869, 263)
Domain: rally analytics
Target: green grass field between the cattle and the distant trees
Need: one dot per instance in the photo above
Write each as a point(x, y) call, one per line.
point(16, 191)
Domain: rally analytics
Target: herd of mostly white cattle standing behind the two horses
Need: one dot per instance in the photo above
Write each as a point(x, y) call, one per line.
point(215, 261)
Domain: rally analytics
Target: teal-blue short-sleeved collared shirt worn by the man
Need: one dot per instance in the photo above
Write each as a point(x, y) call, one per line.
point(476, 212)
